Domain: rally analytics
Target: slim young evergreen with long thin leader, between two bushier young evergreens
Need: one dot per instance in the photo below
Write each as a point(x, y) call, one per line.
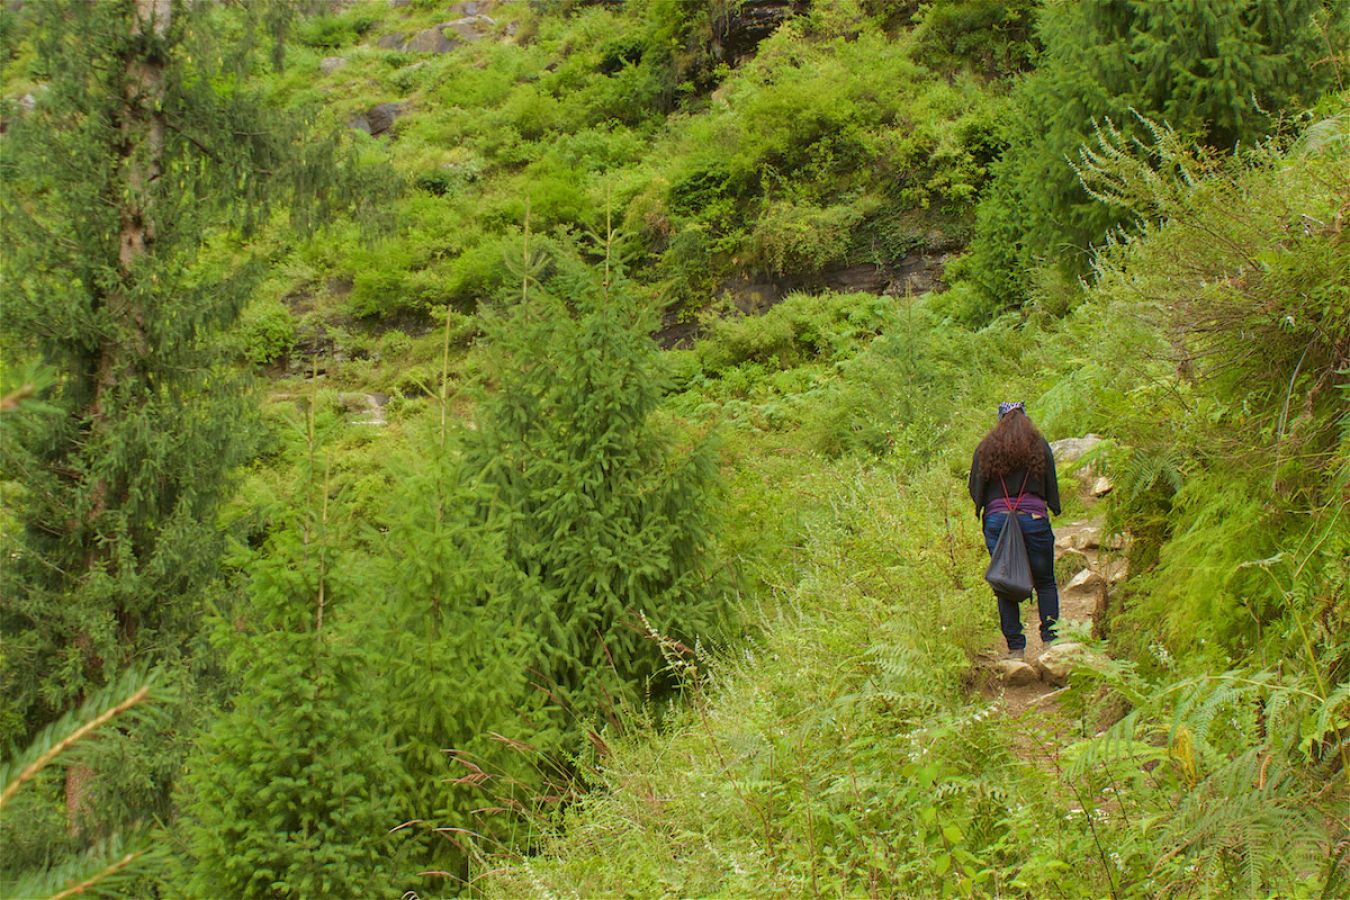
point(456, 651)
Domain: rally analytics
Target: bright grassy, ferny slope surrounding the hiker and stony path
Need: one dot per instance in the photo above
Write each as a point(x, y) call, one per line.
point(844, 754)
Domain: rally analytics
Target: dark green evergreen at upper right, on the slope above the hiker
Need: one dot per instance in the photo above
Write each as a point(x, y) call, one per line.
point(1221, 72)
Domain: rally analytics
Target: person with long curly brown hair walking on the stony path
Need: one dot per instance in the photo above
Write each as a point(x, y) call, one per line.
point(1013, 473)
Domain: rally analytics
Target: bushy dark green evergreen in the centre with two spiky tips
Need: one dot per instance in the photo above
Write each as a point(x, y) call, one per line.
point(605, 519)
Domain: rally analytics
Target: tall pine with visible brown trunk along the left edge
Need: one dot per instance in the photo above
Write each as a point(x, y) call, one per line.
point(144, 146)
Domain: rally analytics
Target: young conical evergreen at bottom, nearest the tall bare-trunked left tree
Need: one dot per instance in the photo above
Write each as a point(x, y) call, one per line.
point(292, 793)
